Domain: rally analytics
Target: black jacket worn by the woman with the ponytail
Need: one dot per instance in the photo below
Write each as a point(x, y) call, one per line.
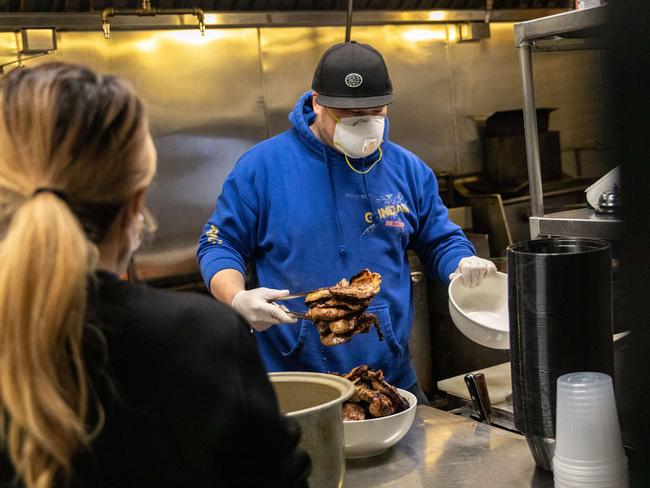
point(187, 399)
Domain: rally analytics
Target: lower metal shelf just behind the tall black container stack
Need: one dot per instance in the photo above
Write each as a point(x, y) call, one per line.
point(583, 222)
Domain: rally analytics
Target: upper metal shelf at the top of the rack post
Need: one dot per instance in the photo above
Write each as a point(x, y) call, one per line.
point(568, 31)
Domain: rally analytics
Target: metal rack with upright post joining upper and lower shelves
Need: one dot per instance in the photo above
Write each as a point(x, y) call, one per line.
point(569, 31)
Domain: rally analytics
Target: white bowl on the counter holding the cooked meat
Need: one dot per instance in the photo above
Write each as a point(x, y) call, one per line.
point(365, 438)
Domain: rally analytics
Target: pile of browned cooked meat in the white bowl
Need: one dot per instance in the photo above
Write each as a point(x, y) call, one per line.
point(373, 397)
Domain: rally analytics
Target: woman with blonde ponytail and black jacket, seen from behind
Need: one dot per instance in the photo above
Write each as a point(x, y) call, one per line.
point(102, 382)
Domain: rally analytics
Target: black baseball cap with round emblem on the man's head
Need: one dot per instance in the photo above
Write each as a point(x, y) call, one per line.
point(352, 75)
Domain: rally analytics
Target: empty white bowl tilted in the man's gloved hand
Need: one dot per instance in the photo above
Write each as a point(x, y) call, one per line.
point(481, 313)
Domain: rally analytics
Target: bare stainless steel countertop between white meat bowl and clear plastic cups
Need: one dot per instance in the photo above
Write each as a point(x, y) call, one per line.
point(446, 450)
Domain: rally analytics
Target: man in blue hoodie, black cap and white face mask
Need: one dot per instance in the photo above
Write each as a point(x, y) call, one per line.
point(318, 203)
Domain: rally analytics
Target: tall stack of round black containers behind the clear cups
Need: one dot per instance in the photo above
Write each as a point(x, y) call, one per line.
point(559, 298)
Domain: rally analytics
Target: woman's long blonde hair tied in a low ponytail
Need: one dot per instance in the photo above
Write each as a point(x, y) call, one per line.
point(63, 128)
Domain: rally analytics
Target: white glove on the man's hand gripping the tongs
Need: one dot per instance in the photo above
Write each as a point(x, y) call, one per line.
point(256, 306)
